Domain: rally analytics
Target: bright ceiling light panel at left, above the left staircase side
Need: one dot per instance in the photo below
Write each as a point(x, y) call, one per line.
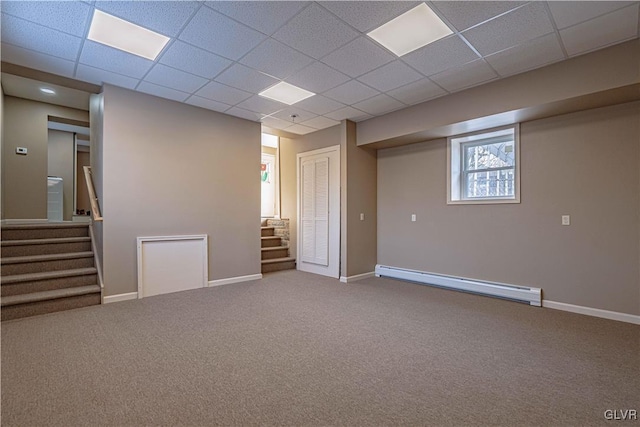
point(124, 35)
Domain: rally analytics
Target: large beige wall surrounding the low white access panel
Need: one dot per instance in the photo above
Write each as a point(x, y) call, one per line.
point(174, 169)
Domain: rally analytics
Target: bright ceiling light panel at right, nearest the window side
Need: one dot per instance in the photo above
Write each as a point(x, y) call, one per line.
point(410, 31)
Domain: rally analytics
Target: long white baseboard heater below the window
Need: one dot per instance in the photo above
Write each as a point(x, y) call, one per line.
point(532, 296)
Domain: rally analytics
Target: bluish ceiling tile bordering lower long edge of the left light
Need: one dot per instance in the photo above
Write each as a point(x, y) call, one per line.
point(117, 61)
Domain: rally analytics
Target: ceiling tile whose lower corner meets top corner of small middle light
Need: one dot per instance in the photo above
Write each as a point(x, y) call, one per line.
point(274, 58)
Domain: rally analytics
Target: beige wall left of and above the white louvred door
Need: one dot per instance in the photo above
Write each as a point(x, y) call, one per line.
point(289, 149)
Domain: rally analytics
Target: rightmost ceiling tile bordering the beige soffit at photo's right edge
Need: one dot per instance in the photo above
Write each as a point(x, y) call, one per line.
point(612, 28)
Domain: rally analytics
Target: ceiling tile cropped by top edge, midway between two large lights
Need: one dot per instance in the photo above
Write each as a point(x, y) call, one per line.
point(264, 16)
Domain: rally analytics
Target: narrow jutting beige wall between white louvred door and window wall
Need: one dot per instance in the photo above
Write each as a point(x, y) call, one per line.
point(360, 196)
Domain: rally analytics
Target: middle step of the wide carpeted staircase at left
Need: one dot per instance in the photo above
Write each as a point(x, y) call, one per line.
point(51, 262)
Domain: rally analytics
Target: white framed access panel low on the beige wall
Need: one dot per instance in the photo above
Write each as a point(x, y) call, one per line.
point(171, 264)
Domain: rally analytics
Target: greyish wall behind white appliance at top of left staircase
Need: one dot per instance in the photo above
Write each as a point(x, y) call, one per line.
point(60, 164)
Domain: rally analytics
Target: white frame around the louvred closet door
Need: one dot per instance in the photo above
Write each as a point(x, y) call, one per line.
point(333, 270)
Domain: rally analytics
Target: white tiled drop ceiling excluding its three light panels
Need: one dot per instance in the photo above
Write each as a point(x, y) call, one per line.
point(222, 54)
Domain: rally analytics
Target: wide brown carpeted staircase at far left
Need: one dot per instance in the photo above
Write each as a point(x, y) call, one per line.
point(46, 267)
